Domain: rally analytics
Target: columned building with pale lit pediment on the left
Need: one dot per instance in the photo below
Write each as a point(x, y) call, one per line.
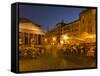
point(30, 33)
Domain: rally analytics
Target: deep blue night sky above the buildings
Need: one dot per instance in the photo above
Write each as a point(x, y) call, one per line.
point(49, 16)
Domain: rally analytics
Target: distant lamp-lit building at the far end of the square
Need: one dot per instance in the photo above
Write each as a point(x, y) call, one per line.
point(54, 36)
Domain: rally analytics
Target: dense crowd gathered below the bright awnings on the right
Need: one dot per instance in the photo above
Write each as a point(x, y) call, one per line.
point(78, 50)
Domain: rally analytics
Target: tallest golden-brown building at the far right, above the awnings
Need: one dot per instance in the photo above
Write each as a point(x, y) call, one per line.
point(88, 21)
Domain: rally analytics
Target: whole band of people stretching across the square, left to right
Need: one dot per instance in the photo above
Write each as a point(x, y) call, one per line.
point(83, 49)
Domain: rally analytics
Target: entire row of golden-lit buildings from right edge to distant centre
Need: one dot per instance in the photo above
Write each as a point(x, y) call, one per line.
point(85, 25)
